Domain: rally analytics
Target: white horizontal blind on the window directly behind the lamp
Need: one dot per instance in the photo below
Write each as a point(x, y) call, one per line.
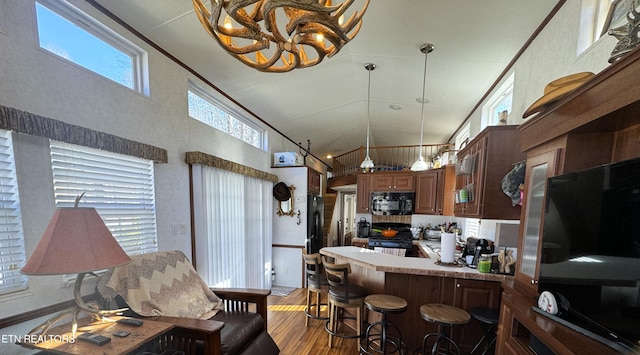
point(119, 187)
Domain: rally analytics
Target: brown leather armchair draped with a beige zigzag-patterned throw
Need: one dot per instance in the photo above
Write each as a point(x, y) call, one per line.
point(160, 284)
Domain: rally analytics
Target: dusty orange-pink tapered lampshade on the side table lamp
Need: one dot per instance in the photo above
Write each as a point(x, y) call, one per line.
point(76, 241)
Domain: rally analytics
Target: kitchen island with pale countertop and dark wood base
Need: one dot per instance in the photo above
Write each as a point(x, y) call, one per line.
point(420, 281)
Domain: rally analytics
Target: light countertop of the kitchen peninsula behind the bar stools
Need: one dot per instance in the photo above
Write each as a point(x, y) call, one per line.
point(372, 260)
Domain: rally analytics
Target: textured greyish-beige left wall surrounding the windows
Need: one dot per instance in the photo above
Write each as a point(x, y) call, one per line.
point(36, 81)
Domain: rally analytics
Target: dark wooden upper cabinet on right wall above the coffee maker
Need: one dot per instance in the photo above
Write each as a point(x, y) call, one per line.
point(481, 166)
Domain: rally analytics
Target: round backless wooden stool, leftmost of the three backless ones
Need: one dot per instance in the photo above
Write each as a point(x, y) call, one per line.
point(380, 342)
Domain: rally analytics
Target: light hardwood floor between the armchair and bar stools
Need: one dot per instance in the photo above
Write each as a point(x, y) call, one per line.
point(286, 320)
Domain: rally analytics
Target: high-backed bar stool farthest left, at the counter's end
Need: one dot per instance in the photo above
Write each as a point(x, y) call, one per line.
point(316, 284)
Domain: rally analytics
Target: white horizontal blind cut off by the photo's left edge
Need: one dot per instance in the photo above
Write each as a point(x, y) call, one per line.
point(12, 253)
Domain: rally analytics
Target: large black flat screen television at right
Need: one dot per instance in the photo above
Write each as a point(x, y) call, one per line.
point(591, 249)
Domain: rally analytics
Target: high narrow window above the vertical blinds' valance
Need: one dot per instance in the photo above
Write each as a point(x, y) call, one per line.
point(204, 108)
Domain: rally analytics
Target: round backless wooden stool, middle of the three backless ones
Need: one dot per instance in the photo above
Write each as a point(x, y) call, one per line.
point(444, 316)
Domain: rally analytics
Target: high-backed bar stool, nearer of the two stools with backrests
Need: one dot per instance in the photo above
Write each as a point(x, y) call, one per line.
point(342, 295)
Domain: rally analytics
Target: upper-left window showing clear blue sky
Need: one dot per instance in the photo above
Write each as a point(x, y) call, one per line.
point(75, 36)
